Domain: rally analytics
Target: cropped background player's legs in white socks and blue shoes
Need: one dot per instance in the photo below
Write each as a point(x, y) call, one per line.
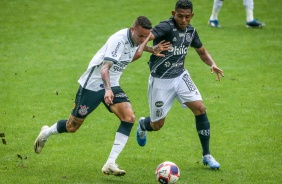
point(249, 7)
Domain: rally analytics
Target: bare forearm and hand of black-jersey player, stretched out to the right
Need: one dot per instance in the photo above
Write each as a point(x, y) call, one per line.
point(206, 57)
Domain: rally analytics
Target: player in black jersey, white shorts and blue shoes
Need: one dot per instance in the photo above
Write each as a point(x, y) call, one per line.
point(169, 80)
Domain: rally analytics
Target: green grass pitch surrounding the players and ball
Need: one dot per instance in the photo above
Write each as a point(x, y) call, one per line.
point(46, 45)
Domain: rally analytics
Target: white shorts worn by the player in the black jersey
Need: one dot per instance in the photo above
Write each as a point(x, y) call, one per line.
point(162, 92)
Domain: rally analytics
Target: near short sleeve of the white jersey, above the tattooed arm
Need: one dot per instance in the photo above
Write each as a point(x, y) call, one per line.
point(114, 49)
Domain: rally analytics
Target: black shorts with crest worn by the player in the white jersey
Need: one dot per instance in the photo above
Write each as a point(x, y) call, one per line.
point(86, 100)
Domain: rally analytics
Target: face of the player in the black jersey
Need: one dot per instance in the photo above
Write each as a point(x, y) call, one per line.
point(182, 17)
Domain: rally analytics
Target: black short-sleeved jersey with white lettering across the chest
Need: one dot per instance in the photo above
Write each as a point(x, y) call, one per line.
point(172, 65)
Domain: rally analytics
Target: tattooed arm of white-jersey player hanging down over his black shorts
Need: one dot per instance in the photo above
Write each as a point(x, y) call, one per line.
point(109, 96)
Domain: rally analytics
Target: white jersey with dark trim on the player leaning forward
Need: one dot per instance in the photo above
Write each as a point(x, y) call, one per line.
point(120, 49)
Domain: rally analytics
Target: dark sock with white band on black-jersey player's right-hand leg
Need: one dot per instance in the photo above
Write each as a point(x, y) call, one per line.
point(203, 129)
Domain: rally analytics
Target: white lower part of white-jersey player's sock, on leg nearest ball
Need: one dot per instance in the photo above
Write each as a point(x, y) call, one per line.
point(119, 143)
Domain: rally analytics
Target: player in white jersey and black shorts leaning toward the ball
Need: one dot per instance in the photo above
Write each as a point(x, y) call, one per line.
point(100, 83)
